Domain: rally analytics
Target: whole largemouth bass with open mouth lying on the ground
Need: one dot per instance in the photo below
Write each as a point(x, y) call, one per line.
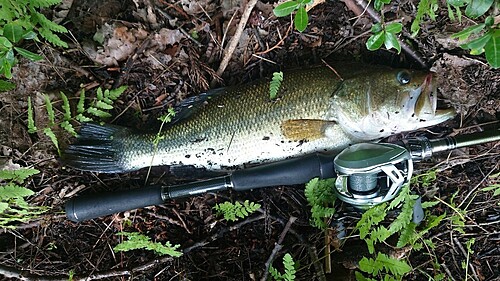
point(320, 109)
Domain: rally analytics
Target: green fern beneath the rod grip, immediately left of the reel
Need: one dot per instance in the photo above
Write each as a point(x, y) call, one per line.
point(321, 198)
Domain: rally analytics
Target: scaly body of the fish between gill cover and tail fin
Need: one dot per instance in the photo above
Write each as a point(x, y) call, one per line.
point(242, 125)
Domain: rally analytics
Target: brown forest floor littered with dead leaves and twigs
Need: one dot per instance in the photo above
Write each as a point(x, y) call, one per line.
point(150, 47)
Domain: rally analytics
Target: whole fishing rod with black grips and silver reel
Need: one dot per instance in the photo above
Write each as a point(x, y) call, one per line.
point(366, 174)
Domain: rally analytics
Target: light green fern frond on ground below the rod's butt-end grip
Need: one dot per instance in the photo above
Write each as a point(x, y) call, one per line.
point(138, 241)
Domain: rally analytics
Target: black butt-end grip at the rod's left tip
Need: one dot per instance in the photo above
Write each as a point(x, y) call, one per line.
point(96, 205)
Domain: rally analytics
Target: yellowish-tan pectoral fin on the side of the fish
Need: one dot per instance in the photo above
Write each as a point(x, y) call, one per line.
point(304, 129)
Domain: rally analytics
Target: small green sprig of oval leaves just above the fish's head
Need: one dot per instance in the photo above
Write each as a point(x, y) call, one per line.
point(385, 34)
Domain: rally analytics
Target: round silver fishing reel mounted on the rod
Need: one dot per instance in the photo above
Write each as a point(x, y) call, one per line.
point(371, 173)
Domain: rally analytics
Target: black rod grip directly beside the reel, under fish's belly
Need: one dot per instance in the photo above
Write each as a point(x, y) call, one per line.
point(289, 172)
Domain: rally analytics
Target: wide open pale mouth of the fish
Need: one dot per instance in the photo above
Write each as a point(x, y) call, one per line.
point(426, 107)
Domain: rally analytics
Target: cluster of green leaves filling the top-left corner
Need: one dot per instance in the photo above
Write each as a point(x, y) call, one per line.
point(21, 20)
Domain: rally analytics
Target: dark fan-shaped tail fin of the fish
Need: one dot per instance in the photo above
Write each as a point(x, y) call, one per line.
point(97, 149)
